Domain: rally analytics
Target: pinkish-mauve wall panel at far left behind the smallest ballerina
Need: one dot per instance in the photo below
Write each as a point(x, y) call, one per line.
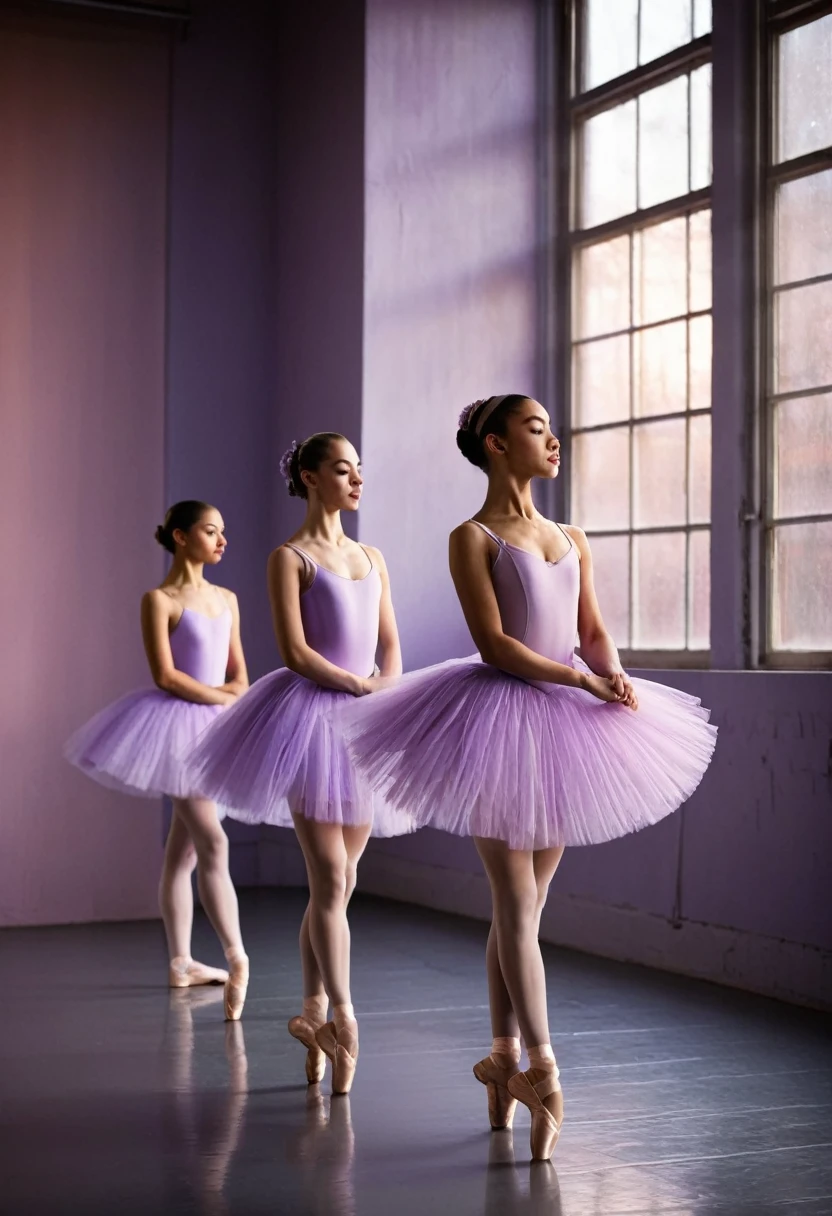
point(83, 147)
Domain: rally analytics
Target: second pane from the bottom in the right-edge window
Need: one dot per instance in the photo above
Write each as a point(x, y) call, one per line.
point(803, 458)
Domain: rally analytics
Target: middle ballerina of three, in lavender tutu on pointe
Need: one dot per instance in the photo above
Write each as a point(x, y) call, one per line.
point(277, 757)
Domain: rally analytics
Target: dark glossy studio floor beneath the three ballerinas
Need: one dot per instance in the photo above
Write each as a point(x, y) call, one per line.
point(120, 1097)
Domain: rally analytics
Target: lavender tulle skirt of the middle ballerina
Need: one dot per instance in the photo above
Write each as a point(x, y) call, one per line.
point(278, 751)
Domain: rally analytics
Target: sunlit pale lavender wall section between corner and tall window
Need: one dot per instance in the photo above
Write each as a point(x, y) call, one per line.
point(451, 277)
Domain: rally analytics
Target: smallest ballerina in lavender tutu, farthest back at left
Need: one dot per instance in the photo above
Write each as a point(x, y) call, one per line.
point(192, 633)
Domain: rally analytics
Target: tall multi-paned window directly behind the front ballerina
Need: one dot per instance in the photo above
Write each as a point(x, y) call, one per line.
point(639, 415)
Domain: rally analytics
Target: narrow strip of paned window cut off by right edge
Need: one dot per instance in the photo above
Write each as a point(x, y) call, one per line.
point(797, 426)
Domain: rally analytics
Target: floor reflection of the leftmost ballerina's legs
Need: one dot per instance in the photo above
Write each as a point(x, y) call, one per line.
point(215, 1140)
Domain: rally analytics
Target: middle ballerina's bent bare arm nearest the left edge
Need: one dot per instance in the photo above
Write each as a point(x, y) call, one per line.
point(285, 573)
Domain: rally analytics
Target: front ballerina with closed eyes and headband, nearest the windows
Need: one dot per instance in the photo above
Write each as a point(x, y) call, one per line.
point(532, 750)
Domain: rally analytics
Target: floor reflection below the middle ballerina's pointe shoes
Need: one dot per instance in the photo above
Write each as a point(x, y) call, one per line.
point(324, 1150)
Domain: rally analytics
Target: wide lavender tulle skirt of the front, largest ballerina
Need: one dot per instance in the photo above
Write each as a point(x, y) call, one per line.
point(470, 750)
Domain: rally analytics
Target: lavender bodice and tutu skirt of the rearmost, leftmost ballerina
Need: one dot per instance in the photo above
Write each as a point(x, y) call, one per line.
point(138, 745)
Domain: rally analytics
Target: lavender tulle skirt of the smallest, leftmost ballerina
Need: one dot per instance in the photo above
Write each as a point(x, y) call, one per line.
point(140, 742)
